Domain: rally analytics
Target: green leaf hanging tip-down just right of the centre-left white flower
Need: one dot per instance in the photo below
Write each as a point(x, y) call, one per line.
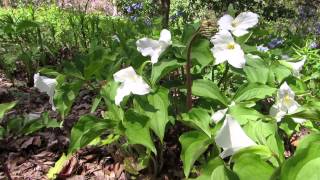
point(157, 112)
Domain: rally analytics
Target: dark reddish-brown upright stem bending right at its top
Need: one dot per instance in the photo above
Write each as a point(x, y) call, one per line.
point(188, 68)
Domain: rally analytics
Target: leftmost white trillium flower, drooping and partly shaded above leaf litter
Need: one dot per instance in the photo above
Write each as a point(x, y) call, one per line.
point(47, 85)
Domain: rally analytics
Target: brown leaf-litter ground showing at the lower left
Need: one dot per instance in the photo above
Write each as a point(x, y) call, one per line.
point(31, 156)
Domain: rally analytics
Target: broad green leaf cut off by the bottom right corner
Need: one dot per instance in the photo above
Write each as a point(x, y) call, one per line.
point(304, 163)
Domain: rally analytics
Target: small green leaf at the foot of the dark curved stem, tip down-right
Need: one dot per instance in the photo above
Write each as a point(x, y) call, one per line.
point(198, 118)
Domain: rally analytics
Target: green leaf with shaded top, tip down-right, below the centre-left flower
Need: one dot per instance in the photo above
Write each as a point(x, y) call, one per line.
point(137, 130)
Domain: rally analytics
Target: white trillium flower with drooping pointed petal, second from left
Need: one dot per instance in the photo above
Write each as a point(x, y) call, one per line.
point(130, 83)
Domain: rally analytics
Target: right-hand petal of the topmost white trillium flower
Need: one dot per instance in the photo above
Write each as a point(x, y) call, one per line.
point(246, 20)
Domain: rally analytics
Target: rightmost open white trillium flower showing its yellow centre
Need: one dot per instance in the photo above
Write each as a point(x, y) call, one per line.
point(285, 104)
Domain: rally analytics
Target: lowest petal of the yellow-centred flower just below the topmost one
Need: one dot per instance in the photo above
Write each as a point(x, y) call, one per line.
point(236, 57)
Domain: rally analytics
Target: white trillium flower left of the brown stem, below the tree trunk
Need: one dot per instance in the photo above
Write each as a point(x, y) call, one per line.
point(154, 48)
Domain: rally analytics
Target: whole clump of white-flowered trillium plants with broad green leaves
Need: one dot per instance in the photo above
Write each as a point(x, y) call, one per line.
point(235, 130)
